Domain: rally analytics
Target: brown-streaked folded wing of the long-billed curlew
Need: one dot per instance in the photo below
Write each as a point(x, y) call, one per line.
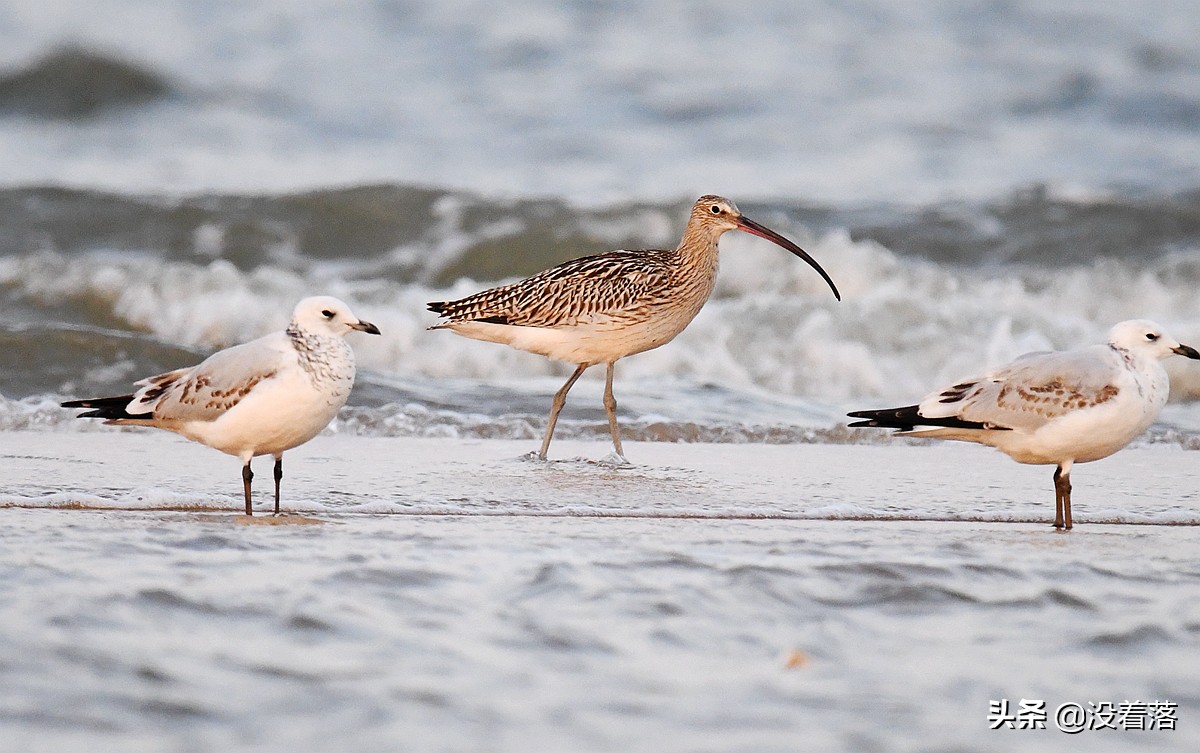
point(609, 285)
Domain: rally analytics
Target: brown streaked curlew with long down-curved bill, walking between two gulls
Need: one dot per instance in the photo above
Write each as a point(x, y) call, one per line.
point(604, 308)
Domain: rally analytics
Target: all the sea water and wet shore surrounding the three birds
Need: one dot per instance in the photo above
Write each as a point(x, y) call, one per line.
point(980, 179)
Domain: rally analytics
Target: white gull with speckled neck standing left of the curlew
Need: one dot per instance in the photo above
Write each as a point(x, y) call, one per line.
point(262, 397)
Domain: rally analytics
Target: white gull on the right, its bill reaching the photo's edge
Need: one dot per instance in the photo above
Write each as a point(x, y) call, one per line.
point(1053, 408)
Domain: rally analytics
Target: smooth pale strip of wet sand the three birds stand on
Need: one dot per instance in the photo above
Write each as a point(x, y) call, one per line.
point(341, 477)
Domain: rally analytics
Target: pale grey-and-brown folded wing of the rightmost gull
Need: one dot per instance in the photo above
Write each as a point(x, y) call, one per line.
point(1031, 391)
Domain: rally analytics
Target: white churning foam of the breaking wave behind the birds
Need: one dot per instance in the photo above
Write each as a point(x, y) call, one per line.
point(771, 326)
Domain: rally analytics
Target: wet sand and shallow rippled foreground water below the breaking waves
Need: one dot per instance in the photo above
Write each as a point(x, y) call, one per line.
point(712, 598)
